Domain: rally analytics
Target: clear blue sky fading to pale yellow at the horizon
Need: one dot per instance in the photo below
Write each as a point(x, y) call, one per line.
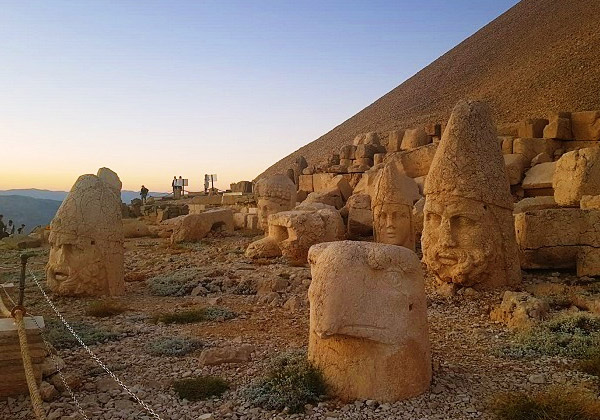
point(153, 89)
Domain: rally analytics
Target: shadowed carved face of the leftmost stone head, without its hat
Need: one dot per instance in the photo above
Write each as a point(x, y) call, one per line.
point(75, 265)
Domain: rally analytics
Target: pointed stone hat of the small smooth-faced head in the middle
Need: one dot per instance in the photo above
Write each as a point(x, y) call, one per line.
point(394, 187)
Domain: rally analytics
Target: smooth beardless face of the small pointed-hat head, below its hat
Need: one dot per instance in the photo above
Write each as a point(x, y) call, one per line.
point(393, 225)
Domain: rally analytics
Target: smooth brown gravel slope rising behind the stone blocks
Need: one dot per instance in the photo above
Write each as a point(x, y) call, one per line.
point(538, 57)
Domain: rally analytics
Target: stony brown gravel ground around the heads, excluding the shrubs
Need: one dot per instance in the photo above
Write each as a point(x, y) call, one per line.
point(270, 300)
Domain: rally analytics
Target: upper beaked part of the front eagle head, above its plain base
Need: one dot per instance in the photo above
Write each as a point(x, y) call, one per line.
point(367, 291)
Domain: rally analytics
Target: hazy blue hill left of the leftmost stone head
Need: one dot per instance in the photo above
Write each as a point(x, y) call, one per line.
point(27, 210)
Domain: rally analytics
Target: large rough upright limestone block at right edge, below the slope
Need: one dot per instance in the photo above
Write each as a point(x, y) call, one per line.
point(577, 174)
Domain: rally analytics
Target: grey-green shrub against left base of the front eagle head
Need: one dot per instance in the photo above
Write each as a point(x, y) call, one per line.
point(291, 382)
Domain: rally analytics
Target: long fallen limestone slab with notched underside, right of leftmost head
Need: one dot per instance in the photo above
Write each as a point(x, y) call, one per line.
point(194, 227)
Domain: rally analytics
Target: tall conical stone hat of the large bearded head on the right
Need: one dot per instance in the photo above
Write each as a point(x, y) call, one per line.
point(468, 162)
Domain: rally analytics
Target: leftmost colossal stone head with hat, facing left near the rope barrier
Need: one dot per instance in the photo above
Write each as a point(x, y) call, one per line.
point(86, 239)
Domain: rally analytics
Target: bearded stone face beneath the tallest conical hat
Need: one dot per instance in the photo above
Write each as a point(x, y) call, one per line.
point(460, 239)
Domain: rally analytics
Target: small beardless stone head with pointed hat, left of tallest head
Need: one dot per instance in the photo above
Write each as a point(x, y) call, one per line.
point(392, 202)
